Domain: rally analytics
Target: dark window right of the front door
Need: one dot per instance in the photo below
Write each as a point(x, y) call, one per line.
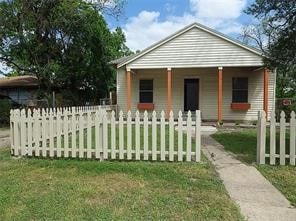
point(239, 90)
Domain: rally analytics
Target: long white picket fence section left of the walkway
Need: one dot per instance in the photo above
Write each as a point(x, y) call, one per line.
point(90, 133)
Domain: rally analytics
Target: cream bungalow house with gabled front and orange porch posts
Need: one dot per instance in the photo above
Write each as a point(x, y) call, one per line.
point(197, 68)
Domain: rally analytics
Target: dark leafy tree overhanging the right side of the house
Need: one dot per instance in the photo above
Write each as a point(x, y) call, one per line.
point(275, 35)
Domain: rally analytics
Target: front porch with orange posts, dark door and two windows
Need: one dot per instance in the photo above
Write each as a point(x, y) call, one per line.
point(210, 90)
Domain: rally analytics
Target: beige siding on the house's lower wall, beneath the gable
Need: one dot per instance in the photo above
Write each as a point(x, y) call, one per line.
point(208, 90)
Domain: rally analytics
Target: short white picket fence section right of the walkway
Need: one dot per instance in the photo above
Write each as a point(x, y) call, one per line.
point(279, 151)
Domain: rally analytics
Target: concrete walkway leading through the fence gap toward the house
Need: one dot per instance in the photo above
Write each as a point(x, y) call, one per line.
point(256, 197)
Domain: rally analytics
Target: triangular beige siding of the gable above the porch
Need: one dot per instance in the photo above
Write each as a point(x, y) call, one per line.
point(197, 48)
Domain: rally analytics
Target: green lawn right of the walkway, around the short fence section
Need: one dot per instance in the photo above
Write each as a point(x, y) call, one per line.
point(243, 144)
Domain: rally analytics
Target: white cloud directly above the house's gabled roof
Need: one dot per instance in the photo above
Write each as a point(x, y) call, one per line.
point(146, 28)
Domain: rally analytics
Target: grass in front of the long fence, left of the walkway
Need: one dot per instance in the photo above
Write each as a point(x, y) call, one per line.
point(42, 189)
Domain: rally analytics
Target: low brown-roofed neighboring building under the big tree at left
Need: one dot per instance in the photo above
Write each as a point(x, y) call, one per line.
point(21, 89)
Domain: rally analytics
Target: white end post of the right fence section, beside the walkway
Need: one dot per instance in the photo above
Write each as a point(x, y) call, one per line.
point(261, 138)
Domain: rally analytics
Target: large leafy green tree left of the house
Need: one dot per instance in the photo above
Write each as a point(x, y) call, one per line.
point(65, 43)
